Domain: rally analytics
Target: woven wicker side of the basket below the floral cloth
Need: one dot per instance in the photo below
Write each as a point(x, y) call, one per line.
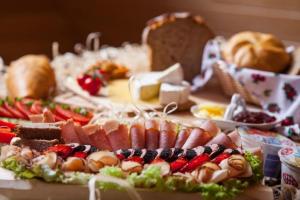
point(230, 85)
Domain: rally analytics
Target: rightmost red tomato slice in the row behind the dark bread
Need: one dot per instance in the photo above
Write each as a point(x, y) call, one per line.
point(68, 114)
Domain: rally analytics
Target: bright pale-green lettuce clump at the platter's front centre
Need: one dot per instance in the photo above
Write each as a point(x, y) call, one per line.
point(149, 178)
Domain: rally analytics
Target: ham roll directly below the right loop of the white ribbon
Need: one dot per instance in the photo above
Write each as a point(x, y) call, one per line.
point(167, 137)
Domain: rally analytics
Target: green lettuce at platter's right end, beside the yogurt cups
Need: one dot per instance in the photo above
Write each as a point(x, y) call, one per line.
point(256, 165)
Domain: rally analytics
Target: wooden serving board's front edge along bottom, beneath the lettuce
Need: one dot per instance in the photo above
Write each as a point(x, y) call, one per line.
point(36, 190)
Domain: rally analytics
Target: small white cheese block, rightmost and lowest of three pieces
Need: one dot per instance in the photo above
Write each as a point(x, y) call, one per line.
point(174, 93)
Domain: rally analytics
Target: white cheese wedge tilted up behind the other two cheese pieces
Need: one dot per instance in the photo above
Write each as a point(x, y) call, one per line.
point(173, 75)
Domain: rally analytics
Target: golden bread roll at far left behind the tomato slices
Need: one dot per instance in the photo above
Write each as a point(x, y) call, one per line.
point(30, 76)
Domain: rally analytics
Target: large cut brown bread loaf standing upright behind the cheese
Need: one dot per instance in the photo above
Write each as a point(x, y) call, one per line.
point(177, 37)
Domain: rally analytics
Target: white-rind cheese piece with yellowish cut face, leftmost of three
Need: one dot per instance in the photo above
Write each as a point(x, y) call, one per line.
point(146, 87)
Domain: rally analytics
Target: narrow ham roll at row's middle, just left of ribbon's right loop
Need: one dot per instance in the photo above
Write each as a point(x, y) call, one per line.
point(152, 134)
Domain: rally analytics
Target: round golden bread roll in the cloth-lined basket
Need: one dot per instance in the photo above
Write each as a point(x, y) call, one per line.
point(256, 50)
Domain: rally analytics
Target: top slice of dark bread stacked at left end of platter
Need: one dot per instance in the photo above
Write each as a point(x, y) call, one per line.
point(43, 131)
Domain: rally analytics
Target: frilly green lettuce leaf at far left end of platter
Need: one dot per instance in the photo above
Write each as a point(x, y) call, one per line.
point(13, 164)
